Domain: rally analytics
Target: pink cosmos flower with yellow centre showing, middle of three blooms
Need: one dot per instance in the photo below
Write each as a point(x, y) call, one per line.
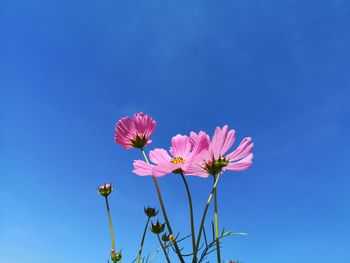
point(182, 153)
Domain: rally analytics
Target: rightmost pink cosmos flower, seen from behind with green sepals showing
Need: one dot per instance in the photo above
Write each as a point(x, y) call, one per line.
point(214, 159)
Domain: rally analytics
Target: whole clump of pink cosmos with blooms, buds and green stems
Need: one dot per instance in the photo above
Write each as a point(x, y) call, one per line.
point(195, 154)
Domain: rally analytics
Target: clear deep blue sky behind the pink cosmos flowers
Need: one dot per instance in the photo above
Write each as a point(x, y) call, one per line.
point(277, 71)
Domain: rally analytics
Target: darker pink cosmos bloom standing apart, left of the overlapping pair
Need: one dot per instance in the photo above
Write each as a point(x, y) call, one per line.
point(134, 132)
